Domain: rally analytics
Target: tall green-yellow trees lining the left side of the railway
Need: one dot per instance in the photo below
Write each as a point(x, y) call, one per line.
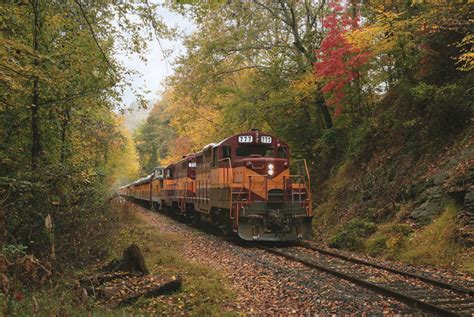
point(61, 145)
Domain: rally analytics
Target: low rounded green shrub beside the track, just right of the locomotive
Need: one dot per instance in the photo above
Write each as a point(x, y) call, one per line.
point(352, 234)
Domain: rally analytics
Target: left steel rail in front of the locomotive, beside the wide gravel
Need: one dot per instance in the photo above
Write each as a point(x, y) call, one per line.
point(414, 302)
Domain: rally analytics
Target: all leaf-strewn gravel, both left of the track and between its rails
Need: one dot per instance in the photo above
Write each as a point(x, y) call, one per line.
point(266, 283)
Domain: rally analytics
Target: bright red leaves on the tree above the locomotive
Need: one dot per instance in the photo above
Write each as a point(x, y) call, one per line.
point(338, 60)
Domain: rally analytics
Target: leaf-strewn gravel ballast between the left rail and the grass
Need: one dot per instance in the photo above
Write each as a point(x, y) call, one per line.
point(265, 284)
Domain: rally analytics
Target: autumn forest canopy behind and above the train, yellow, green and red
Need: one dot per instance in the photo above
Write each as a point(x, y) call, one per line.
point(315, 73)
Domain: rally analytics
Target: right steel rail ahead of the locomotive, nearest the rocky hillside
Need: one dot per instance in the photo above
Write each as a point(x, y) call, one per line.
point(425, 279)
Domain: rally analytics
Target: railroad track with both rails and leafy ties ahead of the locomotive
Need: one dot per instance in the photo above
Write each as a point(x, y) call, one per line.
point(427, 294)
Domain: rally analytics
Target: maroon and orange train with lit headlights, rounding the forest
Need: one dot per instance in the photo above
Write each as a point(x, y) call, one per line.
point(243, 185)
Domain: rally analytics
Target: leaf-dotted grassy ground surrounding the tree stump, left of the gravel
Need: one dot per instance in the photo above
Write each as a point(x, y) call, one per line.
point(203, 293)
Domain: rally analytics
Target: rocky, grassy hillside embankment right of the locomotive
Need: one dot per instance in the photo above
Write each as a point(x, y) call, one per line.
point(409, 197)
